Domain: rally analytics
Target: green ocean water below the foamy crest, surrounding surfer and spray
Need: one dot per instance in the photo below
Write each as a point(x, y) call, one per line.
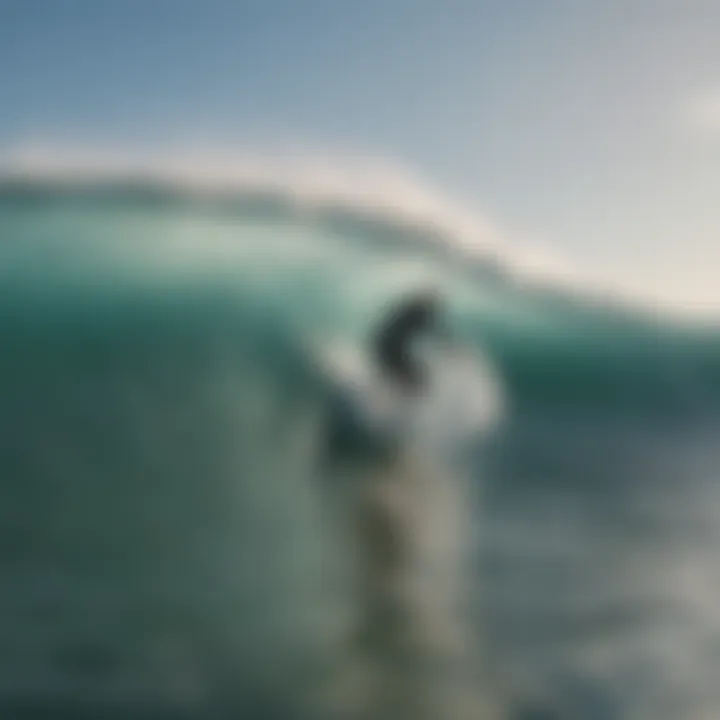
point(175, 542)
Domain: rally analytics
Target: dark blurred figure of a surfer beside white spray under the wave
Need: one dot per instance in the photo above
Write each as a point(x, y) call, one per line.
point(392, 343)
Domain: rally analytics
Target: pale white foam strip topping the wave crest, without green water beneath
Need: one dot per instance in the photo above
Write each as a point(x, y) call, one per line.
point(369, 186)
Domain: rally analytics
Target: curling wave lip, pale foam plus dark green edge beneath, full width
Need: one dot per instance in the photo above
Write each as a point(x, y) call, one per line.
point(381, 204)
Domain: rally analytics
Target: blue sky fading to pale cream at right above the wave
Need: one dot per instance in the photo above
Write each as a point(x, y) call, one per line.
point(590, 128)
